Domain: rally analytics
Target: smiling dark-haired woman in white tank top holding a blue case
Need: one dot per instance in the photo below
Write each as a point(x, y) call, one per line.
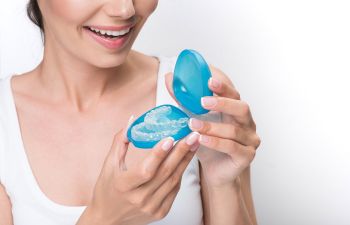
point(62, 160)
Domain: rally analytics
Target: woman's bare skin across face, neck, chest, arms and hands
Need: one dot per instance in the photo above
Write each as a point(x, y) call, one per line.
point(67, 109)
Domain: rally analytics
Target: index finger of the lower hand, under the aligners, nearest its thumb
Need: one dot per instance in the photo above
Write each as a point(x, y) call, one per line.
point(136, 176)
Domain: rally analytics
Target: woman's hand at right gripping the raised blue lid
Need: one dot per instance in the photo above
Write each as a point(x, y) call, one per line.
point(230, 146)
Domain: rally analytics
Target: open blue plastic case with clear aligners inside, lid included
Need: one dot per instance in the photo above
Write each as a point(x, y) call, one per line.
point(190, 84)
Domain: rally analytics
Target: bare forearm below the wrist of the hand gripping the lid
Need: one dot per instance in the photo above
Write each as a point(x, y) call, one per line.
point(226, 206)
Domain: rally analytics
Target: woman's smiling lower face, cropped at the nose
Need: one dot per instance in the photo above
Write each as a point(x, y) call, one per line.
point(99, 32)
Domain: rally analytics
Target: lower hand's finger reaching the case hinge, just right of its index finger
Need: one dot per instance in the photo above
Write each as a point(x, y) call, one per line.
point(170, 164)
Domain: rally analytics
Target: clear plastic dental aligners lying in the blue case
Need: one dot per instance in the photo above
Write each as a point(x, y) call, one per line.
point(157, 126)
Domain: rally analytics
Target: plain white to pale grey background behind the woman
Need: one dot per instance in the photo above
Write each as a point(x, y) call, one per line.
point(290, 59)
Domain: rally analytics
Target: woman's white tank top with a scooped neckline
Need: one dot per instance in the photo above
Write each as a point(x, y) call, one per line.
point(30, 206)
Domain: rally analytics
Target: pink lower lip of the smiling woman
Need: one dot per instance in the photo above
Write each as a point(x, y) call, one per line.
point(109, 43)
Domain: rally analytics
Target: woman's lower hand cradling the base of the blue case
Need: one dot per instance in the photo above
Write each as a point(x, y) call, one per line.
point(143, 193)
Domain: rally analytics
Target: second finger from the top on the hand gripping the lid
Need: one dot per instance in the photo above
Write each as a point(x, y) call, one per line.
point(236, 108)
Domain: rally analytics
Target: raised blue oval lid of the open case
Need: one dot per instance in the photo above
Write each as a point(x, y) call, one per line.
point(190, 82)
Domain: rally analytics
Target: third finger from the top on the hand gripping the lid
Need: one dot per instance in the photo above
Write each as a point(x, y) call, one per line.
point(225, 130)
